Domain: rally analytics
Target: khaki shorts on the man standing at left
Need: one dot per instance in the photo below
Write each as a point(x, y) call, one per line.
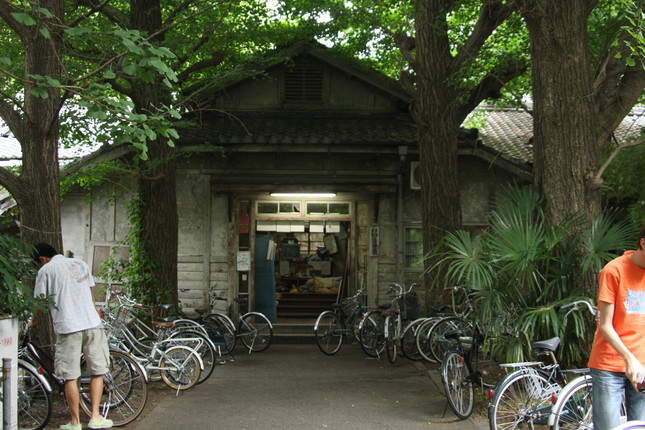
point(92, 343)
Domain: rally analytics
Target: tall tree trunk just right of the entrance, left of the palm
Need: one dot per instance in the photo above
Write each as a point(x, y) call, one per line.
point(434, 109)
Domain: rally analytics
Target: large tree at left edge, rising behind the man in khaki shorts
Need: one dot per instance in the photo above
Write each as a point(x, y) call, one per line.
point(31, 111)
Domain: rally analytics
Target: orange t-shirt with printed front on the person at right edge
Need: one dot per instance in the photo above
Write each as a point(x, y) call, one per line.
point(622, 283)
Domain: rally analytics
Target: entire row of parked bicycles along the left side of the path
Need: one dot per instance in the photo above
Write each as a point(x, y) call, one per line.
point(179, 351)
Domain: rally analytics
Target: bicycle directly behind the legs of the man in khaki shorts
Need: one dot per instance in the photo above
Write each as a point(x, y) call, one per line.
point(125, 387)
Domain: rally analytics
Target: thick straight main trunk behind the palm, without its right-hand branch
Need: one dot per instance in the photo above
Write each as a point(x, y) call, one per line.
point(566, 153)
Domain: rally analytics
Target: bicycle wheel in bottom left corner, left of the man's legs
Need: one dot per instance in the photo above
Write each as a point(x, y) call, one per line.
point(34, 398)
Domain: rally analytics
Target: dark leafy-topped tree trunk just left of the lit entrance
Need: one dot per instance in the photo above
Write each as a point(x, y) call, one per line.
point(159, 218)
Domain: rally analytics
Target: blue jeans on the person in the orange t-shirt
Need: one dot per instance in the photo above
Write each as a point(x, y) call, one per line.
point(607, 395)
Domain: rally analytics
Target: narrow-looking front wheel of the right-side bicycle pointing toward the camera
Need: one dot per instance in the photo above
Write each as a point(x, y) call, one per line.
point(457, 384)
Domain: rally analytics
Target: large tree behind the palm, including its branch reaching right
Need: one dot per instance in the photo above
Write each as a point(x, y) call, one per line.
point(583, 87)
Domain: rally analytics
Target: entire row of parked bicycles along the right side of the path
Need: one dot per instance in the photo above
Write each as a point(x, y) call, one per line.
point(536, 393)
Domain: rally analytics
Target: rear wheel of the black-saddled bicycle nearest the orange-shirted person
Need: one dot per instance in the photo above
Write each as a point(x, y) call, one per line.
point(524, 401)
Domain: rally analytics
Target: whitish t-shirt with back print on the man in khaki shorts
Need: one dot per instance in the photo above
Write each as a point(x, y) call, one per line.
point(68, 282)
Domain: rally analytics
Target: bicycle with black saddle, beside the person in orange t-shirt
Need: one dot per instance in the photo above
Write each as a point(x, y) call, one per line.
point(526, 396)
